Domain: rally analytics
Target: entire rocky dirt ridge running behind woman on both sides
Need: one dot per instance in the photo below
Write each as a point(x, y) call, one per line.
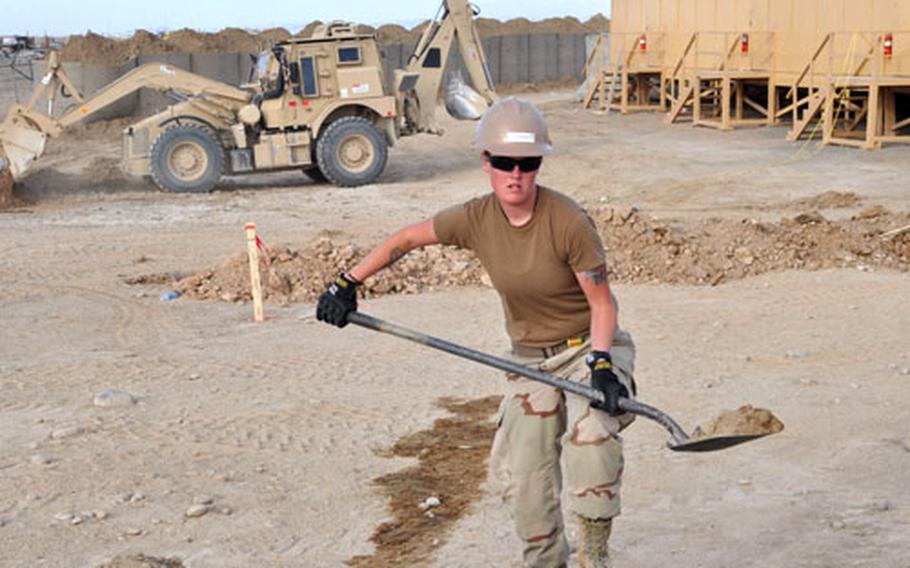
point(641, 250)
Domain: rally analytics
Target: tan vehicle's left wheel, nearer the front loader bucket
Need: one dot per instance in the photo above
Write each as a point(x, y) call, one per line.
point(186, 158)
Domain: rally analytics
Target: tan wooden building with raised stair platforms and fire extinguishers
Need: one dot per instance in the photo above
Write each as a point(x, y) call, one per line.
point(724, 64)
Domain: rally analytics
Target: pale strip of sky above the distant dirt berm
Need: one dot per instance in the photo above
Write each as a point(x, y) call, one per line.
point(109, 17)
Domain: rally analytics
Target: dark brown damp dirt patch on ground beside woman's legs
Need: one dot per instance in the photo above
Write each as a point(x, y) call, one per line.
point(428, 499)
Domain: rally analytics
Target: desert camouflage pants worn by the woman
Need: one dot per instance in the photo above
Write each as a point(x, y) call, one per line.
point(540, 424)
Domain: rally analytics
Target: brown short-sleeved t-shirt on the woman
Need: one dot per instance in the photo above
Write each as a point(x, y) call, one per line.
point(533, 266)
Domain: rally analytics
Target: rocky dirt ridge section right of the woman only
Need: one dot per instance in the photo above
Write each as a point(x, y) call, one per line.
point(712, 251)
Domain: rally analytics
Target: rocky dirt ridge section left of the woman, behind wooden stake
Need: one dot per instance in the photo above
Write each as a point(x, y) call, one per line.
point(300, 276)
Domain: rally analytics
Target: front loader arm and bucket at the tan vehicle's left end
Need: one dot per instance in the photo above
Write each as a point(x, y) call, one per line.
point(25, 130)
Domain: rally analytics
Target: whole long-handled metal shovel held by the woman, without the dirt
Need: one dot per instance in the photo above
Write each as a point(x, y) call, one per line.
point(682, 442)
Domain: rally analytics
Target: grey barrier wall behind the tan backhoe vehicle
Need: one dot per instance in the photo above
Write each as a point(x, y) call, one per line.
point(519, 58)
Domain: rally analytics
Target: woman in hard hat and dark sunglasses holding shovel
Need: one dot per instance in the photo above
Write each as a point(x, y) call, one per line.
point(547, 263)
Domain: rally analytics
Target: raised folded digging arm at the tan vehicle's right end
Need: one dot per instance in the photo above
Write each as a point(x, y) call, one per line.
point(417, 86)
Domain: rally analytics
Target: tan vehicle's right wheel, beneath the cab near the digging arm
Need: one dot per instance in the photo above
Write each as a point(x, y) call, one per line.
point(351, 151)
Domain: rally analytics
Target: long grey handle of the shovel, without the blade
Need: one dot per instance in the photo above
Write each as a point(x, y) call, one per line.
point(629, 405)
